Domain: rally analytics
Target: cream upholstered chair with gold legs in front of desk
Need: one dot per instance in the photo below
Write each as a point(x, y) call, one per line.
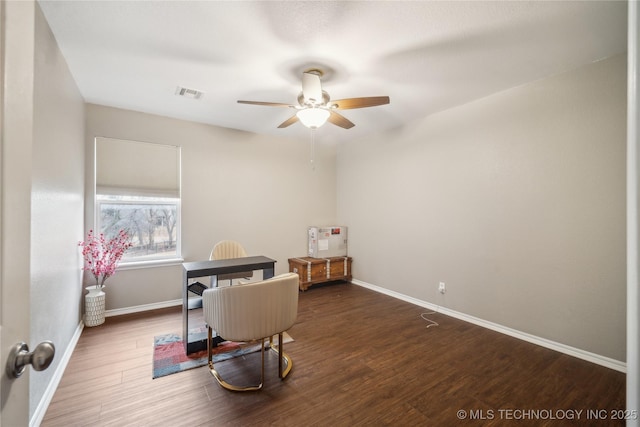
point(252, 311)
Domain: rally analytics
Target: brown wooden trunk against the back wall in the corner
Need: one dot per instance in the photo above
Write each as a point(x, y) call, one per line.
point(320, 270)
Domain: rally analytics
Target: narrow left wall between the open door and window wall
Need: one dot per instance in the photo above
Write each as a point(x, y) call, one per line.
point(57, 203)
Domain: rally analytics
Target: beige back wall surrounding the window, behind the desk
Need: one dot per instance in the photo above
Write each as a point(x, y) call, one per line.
point(259, 190)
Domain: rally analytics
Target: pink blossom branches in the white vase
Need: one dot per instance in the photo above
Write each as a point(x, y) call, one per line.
point(101, 256)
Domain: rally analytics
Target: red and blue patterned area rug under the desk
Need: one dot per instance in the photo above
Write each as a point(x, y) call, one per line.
point(169, 356)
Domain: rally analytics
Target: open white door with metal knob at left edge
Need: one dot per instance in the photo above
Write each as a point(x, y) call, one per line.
point(17, 21)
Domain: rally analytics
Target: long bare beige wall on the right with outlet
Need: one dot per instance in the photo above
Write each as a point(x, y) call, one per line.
point(515, 201)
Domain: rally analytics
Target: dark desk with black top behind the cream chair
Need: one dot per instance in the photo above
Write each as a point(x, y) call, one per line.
point(198, 341)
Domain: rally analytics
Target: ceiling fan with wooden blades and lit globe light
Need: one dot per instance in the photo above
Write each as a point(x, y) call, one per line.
point(315, 107)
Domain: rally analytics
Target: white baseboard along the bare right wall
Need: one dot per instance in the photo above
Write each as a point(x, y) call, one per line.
point(562, 348)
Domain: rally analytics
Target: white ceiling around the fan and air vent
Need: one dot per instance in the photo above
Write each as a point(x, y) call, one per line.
point(426, 55)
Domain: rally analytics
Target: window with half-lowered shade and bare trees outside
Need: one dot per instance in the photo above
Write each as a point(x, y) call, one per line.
point(138, 190)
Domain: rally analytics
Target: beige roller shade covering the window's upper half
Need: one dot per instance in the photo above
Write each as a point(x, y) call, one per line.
point(136, 168)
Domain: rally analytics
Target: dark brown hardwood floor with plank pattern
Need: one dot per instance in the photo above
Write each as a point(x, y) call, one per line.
point(360, 358)
